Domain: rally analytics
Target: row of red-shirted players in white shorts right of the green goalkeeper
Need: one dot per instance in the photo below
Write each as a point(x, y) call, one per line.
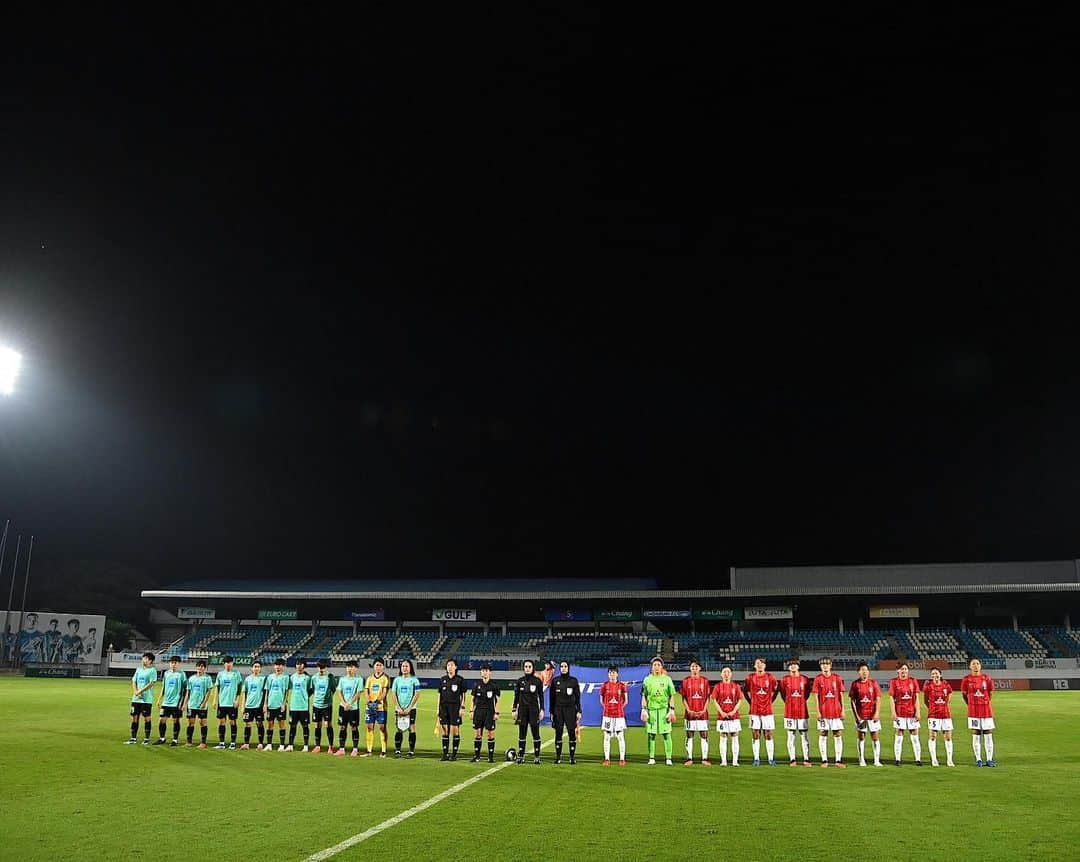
point(762, 689)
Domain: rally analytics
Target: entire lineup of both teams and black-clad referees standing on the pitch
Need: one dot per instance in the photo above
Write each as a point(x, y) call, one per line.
point(269, 703)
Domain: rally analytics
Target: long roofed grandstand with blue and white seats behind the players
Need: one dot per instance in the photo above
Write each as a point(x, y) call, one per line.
point(925, 615)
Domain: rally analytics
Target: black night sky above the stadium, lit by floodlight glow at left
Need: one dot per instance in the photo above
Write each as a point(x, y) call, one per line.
point(526, 293)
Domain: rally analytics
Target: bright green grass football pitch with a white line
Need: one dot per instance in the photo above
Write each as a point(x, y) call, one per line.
point(71, 789)
